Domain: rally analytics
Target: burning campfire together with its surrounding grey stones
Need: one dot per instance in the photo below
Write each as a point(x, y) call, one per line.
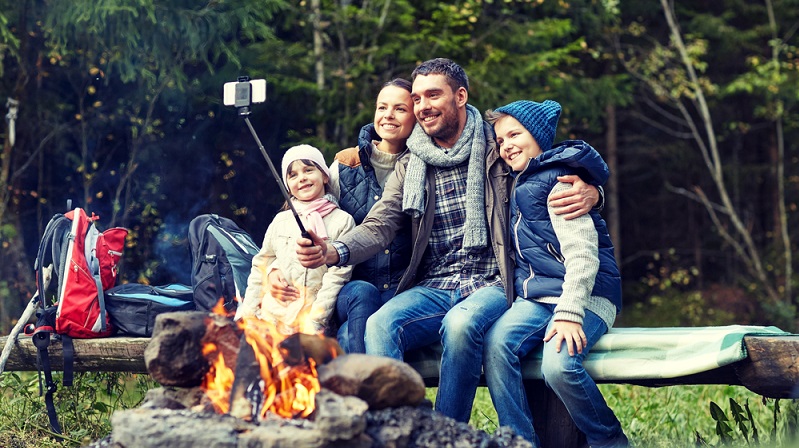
point(234, 384)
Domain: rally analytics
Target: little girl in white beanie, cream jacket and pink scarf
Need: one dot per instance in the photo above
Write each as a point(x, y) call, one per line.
point(307, 178)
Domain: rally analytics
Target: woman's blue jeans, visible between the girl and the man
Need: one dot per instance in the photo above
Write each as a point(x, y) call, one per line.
point(356, 301)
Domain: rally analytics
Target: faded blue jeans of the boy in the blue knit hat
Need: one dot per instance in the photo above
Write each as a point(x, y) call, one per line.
point(514, 335)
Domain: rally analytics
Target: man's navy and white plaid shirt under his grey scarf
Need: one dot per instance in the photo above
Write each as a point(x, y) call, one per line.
point(446, 264)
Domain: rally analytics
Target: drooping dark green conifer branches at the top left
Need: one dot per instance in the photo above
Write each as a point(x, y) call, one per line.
point(151, 40)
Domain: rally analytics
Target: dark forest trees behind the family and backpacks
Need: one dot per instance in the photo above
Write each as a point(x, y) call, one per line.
point(117, 105)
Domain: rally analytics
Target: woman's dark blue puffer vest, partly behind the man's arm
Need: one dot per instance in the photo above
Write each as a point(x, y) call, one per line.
point(359, 192)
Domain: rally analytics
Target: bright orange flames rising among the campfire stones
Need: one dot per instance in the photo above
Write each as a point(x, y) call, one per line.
point(287, 391)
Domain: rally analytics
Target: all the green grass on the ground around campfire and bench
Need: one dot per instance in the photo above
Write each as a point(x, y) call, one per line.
point(651, 417)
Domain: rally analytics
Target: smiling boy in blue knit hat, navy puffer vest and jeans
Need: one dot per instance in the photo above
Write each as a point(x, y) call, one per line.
point(567, 284)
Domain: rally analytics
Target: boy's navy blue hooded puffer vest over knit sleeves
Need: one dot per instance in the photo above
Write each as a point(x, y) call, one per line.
point(539, 263)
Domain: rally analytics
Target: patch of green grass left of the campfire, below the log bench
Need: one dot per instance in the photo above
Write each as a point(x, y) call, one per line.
point(83, 410)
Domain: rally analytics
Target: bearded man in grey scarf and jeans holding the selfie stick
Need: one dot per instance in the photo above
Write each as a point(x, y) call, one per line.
point(460, 278)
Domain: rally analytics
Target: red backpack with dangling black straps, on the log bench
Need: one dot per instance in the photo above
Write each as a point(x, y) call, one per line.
point(75, 264)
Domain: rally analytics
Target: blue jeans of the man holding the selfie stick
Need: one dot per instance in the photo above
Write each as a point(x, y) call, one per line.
point(422, 316)
